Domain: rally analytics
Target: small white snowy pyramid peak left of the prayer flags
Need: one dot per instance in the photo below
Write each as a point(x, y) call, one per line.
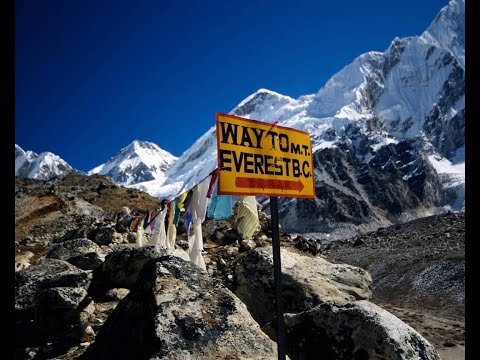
point(138, 162)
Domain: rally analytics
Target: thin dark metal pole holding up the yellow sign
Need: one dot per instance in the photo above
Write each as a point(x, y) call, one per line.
point(277, 274)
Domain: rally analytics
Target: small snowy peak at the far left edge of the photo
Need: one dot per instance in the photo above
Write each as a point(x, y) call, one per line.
point(43, 167)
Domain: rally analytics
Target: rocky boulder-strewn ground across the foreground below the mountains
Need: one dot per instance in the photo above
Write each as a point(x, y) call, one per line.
point(83, 290)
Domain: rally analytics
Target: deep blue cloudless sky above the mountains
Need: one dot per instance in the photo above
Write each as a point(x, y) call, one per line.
point(92, 76)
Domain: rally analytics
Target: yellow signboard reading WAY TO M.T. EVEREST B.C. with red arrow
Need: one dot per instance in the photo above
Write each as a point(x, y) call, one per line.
point(258, 158)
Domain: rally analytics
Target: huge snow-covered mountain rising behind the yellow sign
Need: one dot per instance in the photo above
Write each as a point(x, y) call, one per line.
point(388, 134)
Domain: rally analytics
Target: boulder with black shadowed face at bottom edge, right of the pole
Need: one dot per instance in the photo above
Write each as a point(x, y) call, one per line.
point(360, 330)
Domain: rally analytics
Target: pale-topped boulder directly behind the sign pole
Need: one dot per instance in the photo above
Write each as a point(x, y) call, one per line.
point(307, 281)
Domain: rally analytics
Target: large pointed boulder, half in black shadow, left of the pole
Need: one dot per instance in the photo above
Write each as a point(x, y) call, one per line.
point(176, 311)
